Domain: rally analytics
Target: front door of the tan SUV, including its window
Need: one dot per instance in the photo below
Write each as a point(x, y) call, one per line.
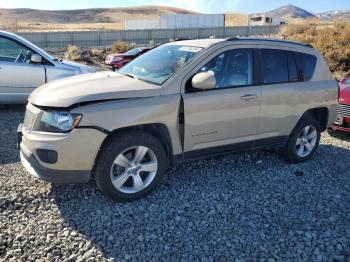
point(224, 118)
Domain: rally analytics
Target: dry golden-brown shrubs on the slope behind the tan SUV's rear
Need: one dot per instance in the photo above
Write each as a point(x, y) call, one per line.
point(332, 40)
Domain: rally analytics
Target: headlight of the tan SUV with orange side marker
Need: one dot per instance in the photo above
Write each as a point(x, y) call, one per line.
point(58, 121)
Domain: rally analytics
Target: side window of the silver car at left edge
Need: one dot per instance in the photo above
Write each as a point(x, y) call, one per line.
point(11, 51)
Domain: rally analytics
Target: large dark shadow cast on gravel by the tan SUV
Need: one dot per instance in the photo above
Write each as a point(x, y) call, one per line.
point(232, 206)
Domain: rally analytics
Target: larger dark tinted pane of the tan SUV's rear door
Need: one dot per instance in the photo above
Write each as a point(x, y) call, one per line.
point(275, 66)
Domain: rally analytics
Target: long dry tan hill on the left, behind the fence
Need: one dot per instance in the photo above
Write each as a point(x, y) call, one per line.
point(82, 19)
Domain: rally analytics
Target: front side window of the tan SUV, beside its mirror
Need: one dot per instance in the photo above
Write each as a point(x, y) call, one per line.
point(233, 68)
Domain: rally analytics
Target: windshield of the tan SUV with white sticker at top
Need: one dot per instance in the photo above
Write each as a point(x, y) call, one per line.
point(159, 64)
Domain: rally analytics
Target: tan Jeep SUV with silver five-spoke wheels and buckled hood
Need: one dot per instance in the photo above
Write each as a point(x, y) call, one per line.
point(180, 101)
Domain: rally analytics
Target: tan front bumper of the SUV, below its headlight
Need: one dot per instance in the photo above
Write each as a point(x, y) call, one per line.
point(76, 154)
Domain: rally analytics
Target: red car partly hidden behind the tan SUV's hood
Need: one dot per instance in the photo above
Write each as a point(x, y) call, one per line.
point(116, 61)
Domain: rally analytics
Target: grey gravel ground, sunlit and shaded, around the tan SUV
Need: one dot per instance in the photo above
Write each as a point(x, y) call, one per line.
point(248, 206)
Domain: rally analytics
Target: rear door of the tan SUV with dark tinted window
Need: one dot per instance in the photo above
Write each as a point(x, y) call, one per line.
point(283, 95)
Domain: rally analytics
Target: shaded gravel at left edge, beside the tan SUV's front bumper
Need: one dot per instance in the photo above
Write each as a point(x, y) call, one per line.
point(10, 117)
